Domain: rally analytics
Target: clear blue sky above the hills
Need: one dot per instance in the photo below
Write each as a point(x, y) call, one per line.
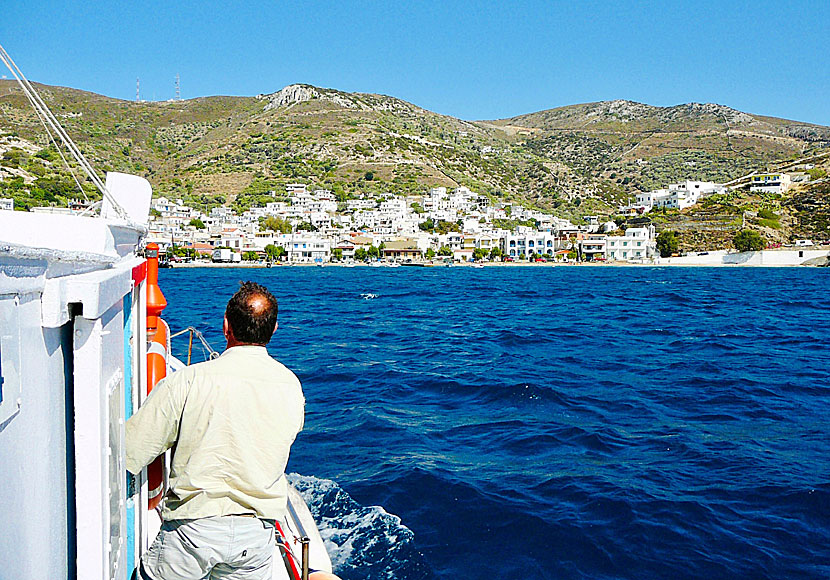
point(473, 60)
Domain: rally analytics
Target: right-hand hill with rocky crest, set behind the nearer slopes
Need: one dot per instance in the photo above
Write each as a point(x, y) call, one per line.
point(630, 146)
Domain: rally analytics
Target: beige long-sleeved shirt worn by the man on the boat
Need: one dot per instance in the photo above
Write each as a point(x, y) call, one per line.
point(232, 421)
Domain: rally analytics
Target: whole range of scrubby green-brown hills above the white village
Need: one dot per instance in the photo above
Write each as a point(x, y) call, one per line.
point(574, 160)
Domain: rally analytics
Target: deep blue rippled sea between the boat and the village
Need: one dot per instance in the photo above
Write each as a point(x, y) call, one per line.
point(553, 422)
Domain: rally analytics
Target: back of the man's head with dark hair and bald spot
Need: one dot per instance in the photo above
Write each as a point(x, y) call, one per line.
point(252, 313)
